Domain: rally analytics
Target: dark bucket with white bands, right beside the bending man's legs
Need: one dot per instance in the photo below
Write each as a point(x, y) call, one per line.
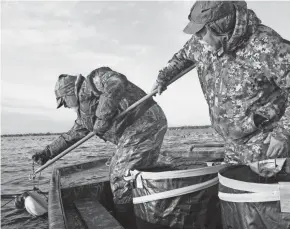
point(187, 198)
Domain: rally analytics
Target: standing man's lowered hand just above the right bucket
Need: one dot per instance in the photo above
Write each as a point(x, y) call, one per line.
point(276, 147)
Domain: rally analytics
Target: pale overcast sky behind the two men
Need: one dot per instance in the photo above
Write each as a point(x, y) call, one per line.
point(41, 40)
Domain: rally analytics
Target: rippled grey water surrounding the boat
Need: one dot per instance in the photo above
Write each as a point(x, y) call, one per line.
point(16, 165)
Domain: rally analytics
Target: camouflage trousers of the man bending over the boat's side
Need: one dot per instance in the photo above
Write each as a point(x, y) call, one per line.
point(138, 148)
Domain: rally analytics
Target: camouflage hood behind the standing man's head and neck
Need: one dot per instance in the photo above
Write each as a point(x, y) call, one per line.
point(246, 24)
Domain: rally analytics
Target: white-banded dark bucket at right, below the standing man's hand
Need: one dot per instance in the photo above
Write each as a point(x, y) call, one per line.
point(250, 201)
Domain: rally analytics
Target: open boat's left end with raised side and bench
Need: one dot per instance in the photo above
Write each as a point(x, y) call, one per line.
point(80, 197)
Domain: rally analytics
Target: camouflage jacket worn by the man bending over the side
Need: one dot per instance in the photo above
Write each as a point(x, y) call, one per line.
point(102, 96)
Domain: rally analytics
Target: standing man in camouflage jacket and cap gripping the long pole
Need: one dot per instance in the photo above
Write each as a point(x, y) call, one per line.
point(244, 71)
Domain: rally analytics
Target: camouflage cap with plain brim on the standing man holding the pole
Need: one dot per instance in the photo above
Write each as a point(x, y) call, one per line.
point(204, 12)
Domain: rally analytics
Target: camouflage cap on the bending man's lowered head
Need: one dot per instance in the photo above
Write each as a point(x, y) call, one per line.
point(65, 85)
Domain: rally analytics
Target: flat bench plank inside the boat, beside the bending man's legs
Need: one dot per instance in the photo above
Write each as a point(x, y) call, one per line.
point(95, 216)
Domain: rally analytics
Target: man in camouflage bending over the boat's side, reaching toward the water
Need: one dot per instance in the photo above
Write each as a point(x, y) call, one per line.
point(97, 99)
